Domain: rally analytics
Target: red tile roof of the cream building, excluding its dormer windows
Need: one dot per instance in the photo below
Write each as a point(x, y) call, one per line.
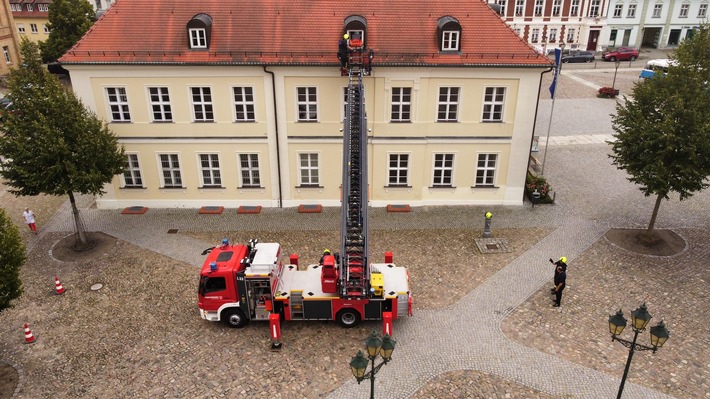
point(298, 32)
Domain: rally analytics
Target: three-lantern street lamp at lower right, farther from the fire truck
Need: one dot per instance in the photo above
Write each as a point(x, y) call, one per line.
point(639, 319)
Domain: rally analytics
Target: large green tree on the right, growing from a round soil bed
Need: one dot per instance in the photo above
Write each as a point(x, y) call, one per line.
point(663, 132)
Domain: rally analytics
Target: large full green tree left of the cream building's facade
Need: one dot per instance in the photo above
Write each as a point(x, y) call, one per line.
point(51, 143)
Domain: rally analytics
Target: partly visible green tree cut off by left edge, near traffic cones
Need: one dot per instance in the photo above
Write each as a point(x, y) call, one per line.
point(12, 257)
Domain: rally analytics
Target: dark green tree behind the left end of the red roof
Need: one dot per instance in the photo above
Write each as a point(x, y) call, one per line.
point(68, 22)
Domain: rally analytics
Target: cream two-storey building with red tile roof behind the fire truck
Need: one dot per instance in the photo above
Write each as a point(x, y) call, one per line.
point(241, 103)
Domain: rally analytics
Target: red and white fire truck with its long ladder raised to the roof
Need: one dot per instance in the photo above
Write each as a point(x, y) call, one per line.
point(244, 282)
